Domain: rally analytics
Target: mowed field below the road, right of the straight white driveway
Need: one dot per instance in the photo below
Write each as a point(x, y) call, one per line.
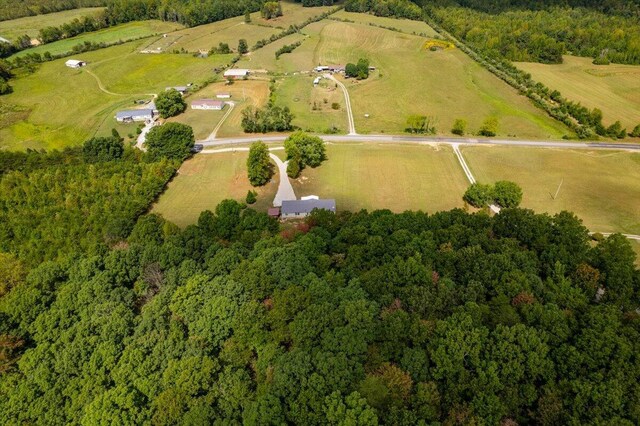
point(602, 188)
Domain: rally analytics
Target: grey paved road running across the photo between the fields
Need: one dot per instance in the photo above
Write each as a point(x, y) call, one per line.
point(440, 140)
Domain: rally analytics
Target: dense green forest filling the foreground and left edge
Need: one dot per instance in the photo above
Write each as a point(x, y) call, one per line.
point(351, 319)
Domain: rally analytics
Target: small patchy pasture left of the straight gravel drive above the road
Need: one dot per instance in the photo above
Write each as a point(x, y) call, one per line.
point(312, 105)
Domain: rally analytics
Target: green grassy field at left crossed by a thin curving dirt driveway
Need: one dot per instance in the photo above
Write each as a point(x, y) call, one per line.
point(66, 106)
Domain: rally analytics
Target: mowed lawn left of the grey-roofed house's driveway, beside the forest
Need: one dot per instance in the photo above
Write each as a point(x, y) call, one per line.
point(205, 180)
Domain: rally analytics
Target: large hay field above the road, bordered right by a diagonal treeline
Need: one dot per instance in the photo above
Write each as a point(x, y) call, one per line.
point(411, 80)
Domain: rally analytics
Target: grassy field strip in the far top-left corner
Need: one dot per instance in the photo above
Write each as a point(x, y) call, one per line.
point(31, 25)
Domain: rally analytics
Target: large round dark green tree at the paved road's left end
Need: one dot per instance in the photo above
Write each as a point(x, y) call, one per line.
point(171, 140)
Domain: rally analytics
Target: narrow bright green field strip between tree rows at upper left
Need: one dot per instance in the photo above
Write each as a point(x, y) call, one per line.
point(129, 31)
